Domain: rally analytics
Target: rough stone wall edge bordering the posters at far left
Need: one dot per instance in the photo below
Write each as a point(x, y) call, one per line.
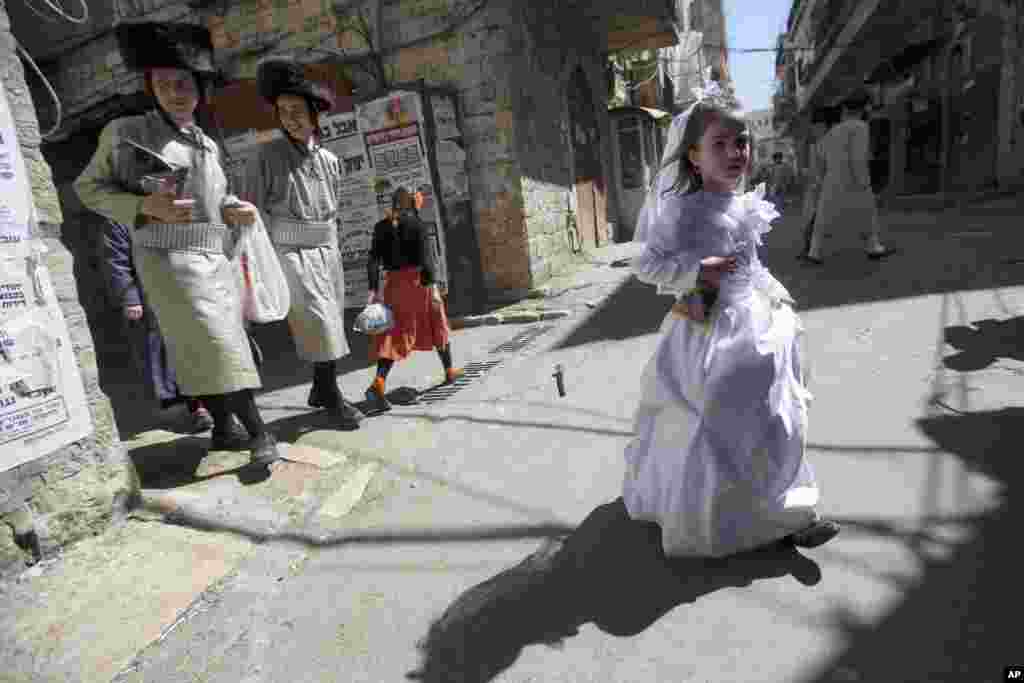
point(79, 490)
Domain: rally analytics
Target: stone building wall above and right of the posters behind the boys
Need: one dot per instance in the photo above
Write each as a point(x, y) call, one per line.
point(510, 62)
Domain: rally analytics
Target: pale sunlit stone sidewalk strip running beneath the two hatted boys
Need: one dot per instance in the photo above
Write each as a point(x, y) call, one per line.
point(84, 615)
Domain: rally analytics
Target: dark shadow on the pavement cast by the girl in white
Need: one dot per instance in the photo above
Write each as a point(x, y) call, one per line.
point(583, 579)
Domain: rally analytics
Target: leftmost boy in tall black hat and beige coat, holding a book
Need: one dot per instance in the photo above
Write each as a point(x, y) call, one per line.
point(161, 175)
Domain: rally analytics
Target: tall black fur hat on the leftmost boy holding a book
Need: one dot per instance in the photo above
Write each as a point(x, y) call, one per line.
point(157, 45)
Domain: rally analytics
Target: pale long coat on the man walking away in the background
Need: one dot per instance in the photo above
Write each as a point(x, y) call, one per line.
point(847, 208)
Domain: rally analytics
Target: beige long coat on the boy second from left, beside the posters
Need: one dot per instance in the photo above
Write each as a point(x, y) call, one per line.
point(298, 193)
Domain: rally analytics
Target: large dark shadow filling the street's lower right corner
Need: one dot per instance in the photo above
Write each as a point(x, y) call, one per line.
point(960, 622)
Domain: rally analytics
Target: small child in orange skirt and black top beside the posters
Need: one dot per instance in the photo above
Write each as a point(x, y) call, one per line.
point(400, 248)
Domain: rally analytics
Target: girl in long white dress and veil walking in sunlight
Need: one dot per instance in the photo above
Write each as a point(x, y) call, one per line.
point(718, 459)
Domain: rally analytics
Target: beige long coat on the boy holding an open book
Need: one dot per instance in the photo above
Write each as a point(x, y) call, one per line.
point(189, 280)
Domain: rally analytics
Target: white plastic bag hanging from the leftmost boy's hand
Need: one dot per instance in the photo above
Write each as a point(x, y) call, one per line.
point(266, 297)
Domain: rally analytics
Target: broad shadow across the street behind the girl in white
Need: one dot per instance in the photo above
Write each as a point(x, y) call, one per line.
point(938, 253)
